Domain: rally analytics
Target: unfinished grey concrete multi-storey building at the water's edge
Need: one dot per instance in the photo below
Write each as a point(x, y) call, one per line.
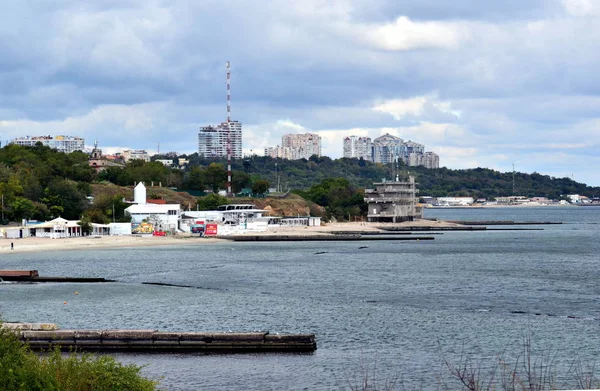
point(393, 202)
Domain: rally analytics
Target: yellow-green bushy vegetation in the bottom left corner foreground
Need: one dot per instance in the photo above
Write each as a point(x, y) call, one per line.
point(22, 369)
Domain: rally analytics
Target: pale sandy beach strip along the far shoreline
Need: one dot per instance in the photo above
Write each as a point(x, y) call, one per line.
point(33, 244)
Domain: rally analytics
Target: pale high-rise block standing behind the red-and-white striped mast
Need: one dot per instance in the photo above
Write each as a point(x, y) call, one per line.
point(213, 140)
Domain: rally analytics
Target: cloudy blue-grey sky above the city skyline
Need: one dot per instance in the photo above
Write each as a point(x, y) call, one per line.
point(481, 83)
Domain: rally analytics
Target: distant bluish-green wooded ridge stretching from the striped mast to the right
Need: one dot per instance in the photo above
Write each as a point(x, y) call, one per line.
point(478, 182)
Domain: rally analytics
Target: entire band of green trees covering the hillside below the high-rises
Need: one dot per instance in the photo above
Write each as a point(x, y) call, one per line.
point(41, 183)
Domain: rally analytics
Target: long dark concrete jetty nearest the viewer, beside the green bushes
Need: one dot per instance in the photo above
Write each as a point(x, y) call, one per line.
point(154, 341)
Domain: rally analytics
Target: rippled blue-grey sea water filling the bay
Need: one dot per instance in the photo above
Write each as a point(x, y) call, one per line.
point(402, 312)
